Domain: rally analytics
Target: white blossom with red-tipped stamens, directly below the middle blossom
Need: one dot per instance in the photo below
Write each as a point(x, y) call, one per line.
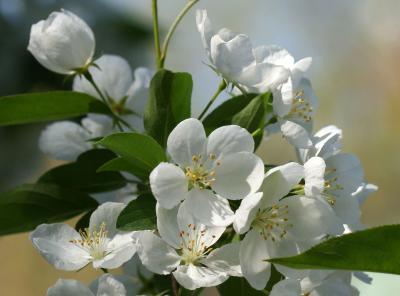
point(185, 249)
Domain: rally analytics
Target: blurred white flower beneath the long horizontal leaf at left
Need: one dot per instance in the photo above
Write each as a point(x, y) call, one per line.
point(66, 140)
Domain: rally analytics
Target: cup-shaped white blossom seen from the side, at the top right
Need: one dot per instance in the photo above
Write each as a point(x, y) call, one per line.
point(232, 56)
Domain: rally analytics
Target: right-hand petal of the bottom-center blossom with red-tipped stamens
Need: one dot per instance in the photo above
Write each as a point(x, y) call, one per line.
point(225, 259)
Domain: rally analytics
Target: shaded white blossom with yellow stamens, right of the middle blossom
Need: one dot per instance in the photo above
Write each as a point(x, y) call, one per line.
point(278, 226)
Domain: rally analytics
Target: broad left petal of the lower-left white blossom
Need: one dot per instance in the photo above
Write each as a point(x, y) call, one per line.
point(53, 243)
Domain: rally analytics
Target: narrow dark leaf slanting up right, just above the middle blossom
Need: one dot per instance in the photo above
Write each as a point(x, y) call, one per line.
point(223, 114)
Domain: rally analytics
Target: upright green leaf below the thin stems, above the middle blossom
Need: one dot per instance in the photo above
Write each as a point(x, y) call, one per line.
point(168, 104)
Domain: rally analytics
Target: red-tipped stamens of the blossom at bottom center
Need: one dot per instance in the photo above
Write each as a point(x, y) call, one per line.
point(193, 244)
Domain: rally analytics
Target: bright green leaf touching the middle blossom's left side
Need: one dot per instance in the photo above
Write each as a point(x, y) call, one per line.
point(141, 152)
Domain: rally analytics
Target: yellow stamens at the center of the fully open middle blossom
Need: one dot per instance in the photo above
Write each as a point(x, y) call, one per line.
point(199, 174)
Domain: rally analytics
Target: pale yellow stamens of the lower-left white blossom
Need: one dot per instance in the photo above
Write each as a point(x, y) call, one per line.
point(95, 242)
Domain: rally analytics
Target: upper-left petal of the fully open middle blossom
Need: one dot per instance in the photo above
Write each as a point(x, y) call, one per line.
point(186, 140)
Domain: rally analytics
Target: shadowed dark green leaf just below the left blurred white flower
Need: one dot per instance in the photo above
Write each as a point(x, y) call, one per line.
point(82, 175)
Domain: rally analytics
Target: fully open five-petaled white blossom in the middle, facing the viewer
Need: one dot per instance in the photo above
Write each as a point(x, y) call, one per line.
point(223, 163)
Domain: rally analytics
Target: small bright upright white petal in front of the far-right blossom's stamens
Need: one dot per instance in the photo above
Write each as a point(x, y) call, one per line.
point(314, 171)
